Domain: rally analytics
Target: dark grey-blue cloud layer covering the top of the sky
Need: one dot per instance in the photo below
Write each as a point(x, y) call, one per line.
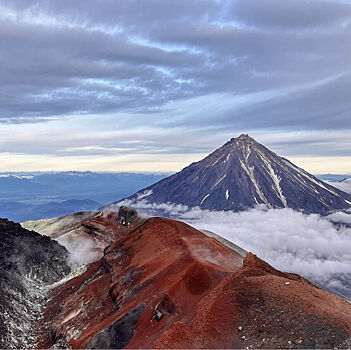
point(53, 49)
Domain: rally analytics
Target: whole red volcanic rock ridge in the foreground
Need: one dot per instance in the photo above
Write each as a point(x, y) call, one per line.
point(163, 284)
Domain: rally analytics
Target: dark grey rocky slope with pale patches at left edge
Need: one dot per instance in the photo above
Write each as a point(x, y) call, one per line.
point(29, 264)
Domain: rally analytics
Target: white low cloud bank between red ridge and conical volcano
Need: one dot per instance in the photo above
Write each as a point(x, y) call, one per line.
point(310, 245)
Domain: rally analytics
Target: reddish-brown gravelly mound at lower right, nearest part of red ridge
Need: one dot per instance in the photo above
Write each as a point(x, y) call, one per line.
point(258, 306)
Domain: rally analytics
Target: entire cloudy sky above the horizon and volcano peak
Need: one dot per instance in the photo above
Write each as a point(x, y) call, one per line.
point(156, 84)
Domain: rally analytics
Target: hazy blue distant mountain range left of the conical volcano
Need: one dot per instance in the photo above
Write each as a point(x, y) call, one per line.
point(32, 196)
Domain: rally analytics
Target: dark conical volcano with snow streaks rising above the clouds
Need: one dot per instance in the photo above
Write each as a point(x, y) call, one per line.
point(242, 174)
